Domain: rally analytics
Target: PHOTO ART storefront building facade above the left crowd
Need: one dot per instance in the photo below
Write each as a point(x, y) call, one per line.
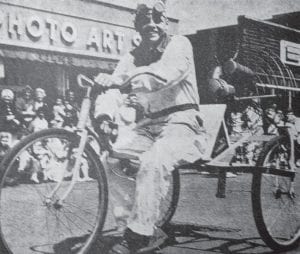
point(46, 43)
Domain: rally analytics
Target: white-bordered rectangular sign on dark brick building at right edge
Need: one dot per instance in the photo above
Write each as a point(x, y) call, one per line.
point(290, 52)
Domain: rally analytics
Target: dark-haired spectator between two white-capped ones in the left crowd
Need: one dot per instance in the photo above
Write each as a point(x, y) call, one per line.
point(24, 106)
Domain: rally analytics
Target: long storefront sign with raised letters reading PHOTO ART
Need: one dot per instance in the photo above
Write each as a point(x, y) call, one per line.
point(60, 33)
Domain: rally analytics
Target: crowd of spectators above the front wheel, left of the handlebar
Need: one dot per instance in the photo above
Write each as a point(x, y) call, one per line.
point(30, 111)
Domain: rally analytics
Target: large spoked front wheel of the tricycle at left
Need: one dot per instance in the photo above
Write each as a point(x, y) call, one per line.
point(33, 217)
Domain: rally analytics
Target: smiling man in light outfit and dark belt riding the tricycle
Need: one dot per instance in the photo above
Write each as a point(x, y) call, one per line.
point(171, 132)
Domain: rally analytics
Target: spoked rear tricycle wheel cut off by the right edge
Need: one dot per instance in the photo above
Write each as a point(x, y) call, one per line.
point(275, 199)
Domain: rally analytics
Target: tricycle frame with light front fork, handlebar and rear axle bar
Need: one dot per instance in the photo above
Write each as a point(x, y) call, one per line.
point(83, 131)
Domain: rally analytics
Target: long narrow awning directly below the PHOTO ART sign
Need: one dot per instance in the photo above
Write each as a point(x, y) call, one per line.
point(57, 58)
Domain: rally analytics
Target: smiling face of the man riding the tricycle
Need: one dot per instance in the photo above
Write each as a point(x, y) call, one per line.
point(151, 24)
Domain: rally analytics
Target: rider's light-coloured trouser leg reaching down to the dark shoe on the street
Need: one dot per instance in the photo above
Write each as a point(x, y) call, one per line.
point(174, 146)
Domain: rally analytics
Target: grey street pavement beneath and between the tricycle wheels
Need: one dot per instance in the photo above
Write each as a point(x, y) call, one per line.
point(202, 223)
